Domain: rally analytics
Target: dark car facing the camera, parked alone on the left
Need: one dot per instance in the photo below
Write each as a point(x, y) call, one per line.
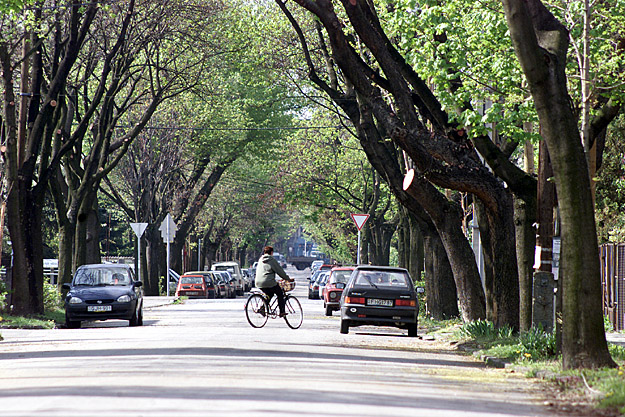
point(103, 292)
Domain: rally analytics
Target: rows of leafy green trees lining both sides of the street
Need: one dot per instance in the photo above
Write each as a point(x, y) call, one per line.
point(249, 120)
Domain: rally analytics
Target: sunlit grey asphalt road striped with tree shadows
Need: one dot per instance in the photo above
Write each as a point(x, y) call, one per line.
point(201, 358)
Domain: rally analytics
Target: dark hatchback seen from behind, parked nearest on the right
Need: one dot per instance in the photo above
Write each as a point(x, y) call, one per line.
point(379, 296)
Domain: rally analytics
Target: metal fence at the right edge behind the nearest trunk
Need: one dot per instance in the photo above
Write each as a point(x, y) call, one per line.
point(613, 283)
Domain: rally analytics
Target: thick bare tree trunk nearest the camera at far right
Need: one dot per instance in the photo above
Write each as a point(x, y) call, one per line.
point(541, 44)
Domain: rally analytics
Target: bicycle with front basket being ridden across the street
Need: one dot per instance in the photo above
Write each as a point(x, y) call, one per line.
point(258, 307)
